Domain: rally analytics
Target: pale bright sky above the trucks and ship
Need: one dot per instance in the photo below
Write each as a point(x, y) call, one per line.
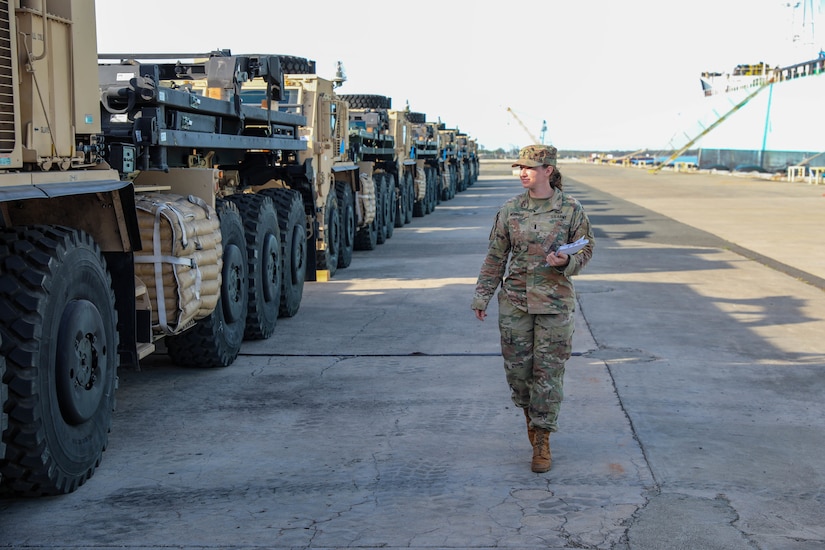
point(603, 74)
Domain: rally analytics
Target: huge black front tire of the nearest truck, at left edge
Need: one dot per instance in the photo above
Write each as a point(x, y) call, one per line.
point(60, 343)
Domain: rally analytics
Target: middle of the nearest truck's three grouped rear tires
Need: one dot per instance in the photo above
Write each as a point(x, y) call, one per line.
point(263, 251)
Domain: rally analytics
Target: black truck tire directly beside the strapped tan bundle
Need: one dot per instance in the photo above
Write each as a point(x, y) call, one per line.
point(215, 341)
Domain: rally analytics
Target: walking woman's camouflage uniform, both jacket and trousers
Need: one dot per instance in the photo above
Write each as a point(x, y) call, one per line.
point(537, 302)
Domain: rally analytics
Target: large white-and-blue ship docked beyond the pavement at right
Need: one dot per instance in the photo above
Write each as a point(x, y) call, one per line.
point(767, 118)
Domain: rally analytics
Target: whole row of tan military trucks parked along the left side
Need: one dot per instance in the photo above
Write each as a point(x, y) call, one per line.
point(177, 204)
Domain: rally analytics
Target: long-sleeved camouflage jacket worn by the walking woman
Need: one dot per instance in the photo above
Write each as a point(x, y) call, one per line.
point(524, 232)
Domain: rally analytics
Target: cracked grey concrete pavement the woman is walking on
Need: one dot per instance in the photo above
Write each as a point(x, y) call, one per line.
point(379, 417)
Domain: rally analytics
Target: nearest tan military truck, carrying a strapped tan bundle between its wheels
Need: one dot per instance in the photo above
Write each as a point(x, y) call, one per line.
point(127, 222)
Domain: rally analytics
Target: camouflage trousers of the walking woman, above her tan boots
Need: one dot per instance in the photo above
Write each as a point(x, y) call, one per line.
point(535, 349)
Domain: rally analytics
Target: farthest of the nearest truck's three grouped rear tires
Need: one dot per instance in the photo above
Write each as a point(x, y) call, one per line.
point(292, 220)
